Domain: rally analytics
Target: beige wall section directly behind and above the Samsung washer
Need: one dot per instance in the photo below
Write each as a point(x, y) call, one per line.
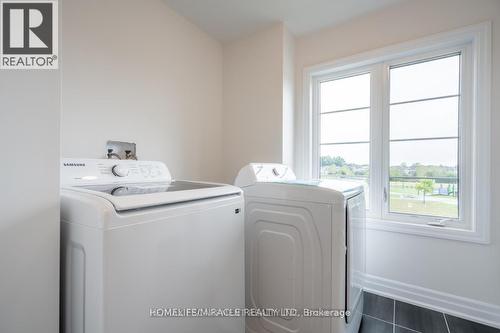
point(141, 73)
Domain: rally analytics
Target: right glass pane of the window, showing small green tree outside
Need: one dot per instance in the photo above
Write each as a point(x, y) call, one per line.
point(424, 137)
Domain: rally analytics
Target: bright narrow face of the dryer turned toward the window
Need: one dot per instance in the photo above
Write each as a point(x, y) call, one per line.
point(355, 255)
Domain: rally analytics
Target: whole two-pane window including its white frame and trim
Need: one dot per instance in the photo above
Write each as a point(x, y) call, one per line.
point(411, 124)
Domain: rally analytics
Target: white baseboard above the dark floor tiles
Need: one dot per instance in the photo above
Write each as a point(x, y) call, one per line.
point(462, 307)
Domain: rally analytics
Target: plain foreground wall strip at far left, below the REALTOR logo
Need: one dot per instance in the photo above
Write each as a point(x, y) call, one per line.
point(29, 201)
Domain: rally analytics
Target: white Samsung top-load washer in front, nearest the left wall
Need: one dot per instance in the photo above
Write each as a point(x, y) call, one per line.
point(136, 243)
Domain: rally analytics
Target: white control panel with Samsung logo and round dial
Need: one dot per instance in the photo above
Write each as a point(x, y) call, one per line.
point(77, 172)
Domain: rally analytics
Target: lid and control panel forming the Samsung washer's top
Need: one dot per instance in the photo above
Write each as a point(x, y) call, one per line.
point(131, 185)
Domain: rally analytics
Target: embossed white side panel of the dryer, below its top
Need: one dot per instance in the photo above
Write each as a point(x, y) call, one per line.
point(287, 255)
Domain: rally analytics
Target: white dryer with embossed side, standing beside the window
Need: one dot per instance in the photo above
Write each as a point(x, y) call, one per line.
point(305, 250)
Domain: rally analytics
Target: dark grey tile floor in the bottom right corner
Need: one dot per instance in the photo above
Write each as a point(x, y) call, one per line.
point(385, 315)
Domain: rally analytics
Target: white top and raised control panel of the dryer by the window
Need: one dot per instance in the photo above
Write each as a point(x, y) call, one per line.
point(278, 181)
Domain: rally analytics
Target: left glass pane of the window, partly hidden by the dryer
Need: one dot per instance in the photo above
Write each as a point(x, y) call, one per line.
point(345, 129)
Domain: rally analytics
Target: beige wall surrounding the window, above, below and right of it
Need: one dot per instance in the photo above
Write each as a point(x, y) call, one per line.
point(458, 268)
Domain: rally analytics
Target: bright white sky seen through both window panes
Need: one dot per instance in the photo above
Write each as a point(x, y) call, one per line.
point(410, 117)
